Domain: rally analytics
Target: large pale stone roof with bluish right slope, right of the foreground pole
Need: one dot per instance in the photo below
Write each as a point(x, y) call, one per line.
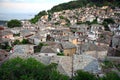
point(87, 63)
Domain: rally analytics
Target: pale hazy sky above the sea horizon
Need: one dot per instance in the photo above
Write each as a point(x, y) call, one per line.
point(27, 6)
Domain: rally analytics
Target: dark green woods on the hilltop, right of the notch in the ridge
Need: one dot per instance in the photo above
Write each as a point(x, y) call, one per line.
point(83, 3)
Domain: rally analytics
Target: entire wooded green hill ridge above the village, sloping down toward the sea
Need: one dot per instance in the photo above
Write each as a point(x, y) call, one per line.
point(76, 4)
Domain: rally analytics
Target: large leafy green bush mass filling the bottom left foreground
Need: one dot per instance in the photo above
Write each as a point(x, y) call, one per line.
point(29, 69)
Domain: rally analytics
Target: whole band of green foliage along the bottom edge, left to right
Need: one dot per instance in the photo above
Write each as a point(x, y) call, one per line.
point(31, 69)
